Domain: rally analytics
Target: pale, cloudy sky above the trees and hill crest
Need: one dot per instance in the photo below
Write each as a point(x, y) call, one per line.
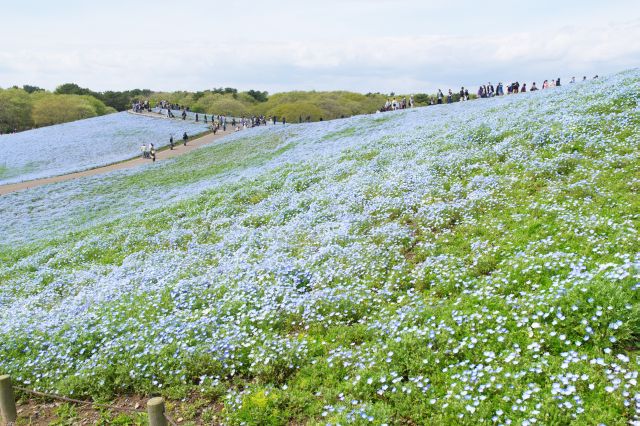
point(402, 46)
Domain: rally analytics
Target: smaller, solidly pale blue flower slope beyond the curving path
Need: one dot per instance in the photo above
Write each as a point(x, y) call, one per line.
point(83, 144)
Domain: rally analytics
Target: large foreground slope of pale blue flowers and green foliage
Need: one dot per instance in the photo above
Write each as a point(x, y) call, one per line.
point(451, 264)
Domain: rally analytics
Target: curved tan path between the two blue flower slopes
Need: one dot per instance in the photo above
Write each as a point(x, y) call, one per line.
point(163, 154)
